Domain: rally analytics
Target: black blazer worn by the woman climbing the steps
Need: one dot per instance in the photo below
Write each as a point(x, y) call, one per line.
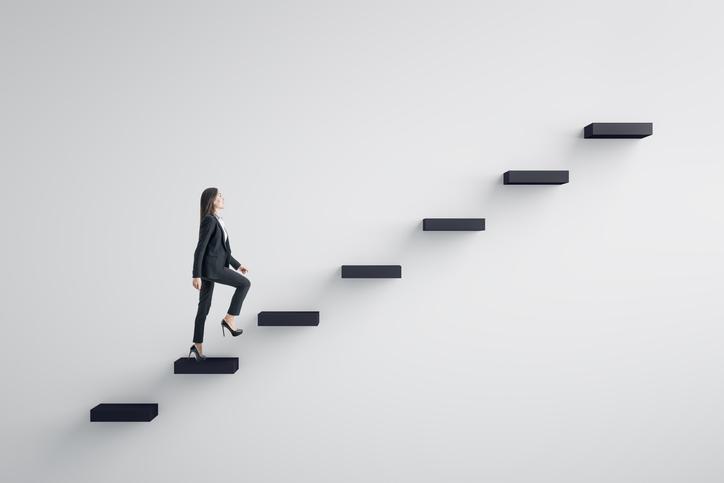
point(212, 253)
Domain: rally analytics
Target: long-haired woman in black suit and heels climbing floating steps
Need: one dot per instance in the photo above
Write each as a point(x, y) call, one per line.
point(211, 264)
